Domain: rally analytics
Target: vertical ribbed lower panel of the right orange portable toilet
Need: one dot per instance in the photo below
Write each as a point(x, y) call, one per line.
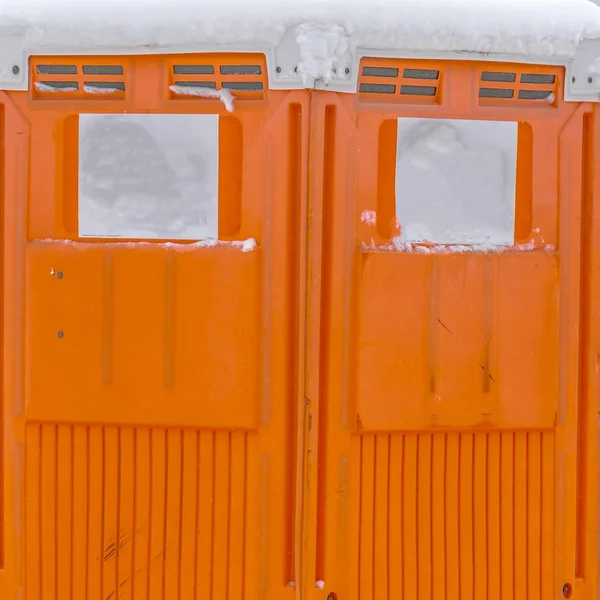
point(457, 515)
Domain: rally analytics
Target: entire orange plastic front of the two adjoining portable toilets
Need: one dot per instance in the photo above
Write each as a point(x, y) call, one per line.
point(321, 417)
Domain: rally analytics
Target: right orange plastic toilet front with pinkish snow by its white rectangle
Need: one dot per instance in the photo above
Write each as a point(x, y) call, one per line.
point(454, 442)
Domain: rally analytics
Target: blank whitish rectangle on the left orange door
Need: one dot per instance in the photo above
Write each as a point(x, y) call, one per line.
point(149, 176)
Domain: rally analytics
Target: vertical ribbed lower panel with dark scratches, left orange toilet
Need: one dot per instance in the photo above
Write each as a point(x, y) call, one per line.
point(134, 513)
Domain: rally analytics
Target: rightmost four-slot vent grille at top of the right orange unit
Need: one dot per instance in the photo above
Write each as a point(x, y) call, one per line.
point(511, 86)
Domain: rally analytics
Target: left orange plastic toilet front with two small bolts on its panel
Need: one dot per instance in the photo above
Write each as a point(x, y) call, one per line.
point(148, 388)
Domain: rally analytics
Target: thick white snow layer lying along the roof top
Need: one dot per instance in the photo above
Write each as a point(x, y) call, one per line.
point(537, 28)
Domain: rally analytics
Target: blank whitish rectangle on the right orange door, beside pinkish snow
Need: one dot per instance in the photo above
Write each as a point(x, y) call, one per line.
point(456, 181)
